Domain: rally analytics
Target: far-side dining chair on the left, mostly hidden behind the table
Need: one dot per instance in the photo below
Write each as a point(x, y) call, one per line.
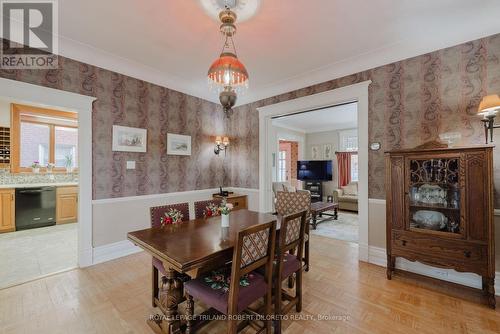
point(156, 214)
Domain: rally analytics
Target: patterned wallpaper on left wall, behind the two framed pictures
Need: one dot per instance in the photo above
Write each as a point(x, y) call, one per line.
point(127, 101)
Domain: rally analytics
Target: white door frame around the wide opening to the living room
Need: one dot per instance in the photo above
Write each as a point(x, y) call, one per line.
point(357, 92)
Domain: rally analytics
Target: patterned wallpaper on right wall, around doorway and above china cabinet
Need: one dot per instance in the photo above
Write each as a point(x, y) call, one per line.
point(410, 102)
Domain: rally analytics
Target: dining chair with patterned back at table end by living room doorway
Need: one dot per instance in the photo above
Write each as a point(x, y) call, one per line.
point(293, 202)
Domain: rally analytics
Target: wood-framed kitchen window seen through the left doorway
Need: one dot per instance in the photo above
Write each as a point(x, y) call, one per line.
point(43, 135)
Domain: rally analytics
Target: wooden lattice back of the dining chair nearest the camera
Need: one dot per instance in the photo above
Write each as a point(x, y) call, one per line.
point(254, 249)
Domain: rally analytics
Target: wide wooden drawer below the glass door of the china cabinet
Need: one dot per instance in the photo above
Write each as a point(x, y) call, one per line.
point(431, 248)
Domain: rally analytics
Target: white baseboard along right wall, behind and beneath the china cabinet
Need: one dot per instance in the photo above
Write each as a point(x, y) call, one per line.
point(377, 256)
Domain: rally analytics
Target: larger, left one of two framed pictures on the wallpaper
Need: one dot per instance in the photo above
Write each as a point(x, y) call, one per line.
point(126, 139)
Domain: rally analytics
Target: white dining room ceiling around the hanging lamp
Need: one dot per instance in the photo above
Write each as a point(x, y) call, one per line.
point(285, 46)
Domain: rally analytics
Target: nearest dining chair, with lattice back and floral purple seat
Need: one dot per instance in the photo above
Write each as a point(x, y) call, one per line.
point(231, 290)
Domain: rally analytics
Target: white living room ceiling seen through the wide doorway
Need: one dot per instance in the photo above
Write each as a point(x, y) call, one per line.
point(328, 119)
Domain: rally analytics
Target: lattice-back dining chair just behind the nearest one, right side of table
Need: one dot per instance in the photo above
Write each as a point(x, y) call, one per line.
point(287, 263)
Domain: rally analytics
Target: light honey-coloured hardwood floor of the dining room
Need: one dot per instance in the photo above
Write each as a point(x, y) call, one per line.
point(114, 297)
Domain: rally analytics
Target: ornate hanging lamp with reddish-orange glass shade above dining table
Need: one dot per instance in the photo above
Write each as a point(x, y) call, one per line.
point(227, 75)
